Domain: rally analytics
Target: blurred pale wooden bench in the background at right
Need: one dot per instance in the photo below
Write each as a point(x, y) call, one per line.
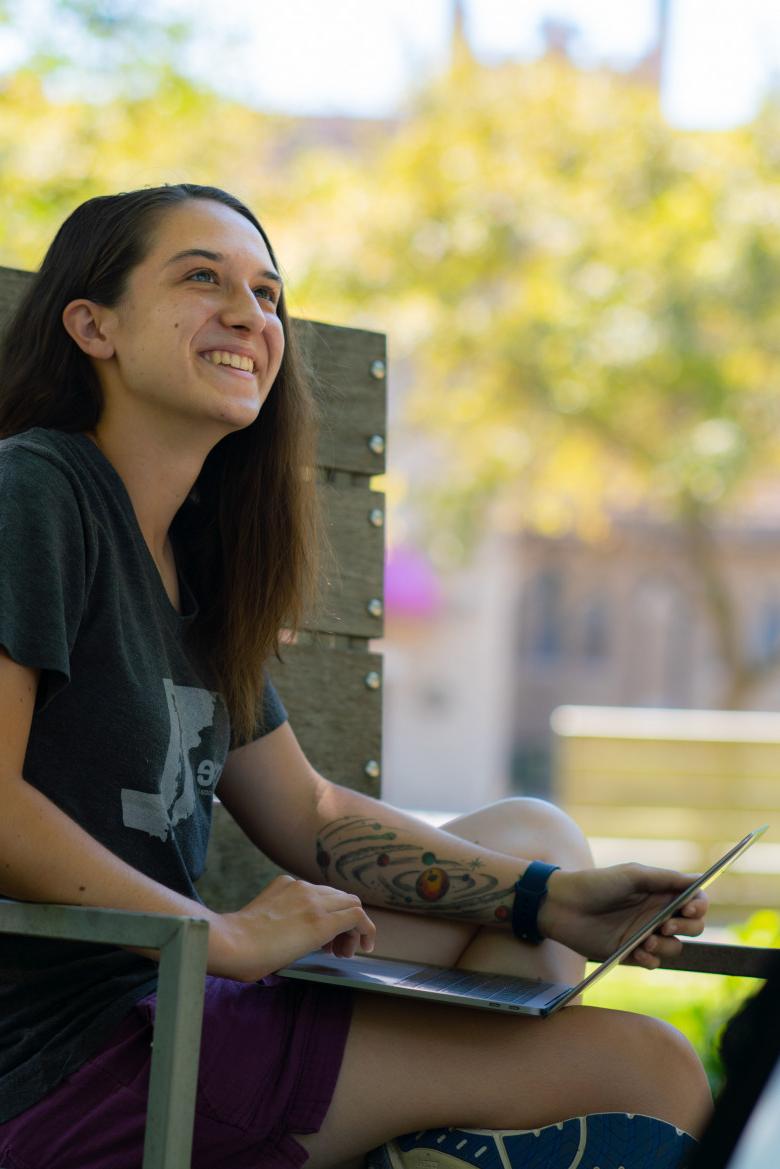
point(687, 783)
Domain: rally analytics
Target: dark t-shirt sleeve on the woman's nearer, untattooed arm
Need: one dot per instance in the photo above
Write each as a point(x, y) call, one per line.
point(43, 568)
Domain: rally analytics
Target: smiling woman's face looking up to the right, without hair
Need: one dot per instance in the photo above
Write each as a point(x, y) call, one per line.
point(197, 338)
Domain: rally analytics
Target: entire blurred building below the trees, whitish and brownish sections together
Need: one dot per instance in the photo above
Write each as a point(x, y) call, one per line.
point(534, 624)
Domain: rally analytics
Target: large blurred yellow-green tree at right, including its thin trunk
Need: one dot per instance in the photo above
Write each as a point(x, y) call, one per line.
point(590, 301)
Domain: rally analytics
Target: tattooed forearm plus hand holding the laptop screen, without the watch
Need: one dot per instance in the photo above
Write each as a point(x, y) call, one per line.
point(392, 860)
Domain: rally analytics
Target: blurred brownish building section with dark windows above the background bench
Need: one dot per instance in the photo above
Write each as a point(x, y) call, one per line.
point(625, 622)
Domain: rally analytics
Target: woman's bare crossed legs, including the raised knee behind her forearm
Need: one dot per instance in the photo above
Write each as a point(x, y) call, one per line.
point(411, 1067)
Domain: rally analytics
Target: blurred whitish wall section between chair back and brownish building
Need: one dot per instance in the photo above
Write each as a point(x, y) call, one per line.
point(450, 682)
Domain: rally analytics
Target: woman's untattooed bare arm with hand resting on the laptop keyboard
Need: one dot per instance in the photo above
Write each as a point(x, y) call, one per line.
point(47, 857)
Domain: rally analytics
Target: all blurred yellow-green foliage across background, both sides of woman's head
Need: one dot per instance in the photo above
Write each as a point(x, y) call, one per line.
point(585, 301)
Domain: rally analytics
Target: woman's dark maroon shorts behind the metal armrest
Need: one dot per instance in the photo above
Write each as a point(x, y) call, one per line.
point(271, 1056)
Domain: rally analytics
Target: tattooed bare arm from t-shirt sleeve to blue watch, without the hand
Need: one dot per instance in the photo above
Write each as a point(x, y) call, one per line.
point(330, 834)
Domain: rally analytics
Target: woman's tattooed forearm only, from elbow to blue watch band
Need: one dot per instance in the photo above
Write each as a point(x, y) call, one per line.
point(389, 859)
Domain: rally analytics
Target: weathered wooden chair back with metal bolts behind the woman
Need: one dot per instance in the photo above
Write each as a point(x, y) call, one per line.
point(330, 681)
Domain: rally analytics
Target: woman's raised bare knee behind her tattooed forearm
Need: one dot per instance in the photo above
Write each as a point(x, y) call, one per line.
point(537, 831)
